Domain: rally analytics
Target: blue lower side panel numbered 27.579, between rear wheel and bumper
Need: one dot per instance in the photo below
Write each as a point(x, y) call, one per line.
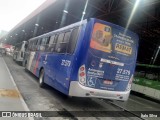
point(57, 71)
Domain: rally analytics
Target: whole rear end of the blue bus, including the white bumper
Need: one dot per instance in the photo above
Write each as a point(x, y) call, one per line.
point(108, 67)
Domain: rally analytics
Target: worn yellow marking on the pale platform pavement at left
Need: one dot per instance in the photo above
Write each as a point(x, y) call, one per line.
point(9, 93)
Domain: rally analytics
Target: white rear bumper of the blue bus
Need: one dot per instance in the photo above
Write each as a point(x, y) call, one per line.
point(78, 90)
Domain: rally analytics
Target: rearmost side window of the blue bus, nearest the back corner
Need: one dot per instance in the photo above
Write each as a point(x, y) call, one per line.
point(73, 40)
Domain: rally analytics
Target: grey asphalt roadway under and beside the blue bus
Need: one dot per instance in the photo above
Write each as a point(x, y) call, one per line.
point(48, 99)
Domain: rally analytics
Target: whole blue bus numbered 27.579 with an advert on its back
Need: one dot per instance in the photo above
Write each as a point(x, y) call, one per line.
point(90, 58)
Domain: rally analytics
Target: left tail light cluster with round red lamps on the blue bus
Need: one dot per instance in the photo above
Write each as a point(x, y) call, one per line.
point(82, 75)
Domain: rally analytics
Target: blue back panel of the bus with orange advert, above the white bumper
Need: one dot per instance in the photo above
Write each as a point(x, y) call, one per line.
point(110, 60)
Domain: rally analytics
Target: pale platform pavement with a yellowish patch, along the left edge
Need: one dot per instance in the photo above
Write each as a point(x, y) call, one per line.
point(10, 97)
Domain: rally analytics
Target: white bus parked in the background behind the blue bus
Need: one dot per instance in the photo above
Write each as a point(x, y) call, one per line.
point(19, 50)
